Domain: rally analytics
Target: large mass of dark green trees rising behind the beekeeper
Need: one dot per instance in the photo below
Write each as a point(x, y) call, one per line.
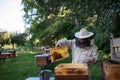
point(51, 20)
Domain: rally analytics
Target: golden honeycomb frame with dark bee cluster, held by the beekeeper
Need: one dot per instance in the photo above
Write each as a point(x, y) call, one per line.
point(58, 53)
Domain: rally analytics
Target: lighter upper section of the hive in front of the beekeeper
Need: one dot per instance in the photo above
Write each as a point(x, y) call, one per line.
point(71, 69)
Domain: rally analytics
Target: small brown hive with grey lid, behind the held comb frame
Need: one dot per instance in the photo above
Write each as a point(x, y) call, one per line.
point(43, 59)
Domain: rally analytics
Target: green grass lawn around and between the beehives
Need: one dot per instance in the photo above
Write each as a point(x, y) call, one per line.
point(24, 66)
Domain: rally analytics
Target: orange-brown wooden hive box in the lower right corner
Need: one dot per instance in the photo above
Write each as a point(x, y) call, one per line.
point(111, 71)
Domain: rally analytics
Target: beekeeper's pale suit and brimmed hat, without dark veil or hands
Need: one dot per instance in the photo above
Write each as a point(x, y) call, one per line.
point(80, 55)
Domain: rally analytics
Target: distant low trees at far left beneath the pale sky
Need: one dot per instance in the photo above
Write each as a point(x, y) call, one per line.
point(7, 38)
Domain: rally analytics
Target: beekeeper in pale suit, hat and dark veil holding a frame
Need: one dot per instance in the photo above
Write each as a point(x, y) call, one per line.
point(83, 48)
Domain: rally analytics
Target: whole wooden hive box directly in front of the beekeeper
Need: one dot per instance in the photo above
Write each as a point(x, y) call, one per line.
point(71, 72)
